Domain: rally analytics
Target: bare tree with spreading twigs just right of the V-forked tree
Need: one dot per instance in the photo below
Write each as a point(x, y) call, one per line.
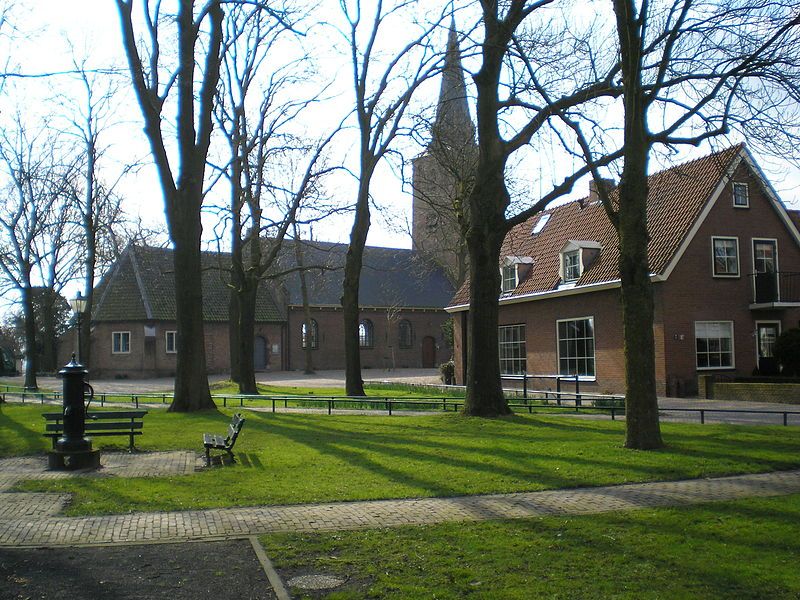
point(257, 108)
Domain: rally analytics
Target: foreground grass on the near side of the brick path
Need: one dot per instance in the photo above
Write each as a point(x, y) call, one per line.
point(745, 549)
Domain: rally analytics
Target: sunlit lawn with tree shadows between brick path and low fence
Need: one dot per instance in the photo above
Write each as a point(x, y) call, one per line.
point(293, 458)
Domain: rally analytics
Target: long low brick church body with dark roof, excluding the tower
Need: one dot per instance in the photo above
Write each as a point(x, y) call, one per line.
point(133, 322)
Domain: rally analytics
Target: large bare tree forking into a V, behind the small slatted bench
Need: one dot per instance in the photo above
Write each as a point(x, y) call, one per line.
point(198, 39)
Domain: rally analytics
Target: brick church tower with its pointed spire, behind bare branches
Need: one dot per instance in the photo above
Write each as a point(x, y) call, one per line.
point(443, 173)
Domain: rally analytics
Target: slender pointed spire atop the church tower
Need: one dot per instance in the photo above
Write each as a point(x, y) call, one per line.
point(453, 127)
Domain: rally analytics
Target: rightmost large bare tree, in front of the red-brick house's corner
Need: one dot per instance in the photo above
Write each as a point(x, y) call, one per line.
point(690, 72)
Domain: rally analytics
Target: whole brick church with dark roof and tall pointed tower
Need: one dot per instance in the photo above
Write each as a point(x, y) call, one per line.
point(403, 292)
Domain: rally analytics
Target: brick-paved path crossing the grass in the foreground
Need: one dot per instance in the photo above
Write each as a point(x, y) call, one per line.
point(29, 520)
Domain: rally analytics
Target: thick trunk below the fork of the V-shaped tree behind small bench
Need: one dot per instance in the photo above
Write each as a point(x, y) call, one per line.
point(191, 379)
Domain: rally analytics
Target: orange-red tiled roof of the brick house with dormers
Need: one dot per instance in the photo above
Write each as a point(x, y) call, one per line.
point(675, 200)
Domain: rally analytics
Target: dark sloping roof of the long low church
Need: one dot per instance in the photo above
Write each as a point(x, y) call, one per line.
point(140, 286)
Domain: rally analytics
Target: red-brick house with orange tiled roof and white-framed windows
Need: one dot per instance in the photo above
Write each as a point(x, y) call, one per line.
point(725, 263)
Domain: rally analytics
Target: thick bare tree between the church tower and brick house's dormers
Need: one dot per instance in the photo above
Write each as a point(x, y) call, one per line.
point(506, 85)
